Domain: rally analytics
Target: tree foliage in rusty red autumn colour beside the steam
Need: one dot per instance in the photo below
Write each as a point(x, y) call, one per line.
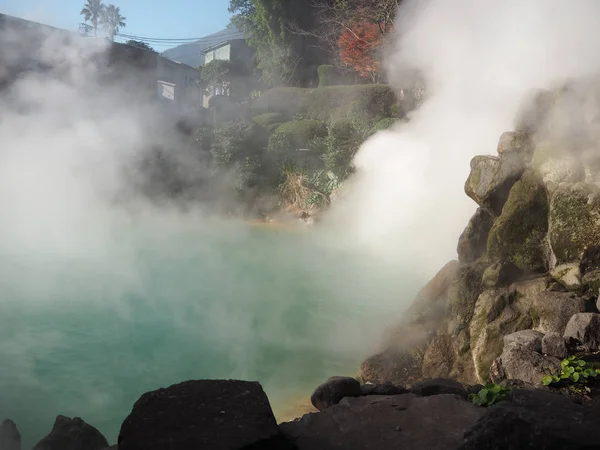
point(358, 47)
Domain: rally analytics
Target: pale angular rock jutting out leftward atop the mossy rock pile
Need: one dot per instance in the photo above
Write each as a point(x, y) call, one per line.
point(490, 181)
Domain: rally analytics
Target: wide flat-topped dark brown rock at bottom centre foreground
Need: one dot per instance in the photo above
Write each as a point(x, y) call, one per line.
point(386, 423)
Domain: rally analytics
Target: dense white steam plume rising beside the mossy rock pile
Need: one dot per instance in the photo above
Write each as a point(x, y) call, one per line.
point(479, 60)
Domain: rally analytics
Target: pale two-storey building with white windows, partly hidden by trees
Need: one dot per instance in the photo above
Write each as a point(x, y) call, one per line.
point(238, 87)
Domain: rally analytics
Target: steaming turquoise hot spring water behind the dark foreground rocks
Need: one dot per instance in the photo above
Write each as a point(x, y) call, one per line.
point(85, 333)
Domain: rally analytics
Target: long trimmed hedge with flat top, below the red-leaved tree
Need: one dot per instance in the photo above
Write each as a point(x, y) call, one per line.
point(364, 102)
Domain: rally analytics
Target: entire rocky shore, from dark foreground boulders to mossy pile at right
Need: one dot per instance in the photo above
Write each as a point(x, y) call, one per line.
point(500, 350)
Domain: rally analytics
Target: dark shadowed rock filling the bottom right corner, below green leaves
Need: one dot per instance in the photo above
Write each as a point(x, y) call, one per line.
point(535, 420)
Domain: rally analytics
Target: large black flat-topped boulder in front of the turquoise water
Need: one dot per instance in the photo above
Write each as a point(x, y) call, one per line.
point(215, 414)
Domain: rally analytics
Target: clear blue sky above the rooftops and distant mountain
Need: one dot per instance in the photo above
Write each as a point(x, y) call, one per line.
point(164, 19)
